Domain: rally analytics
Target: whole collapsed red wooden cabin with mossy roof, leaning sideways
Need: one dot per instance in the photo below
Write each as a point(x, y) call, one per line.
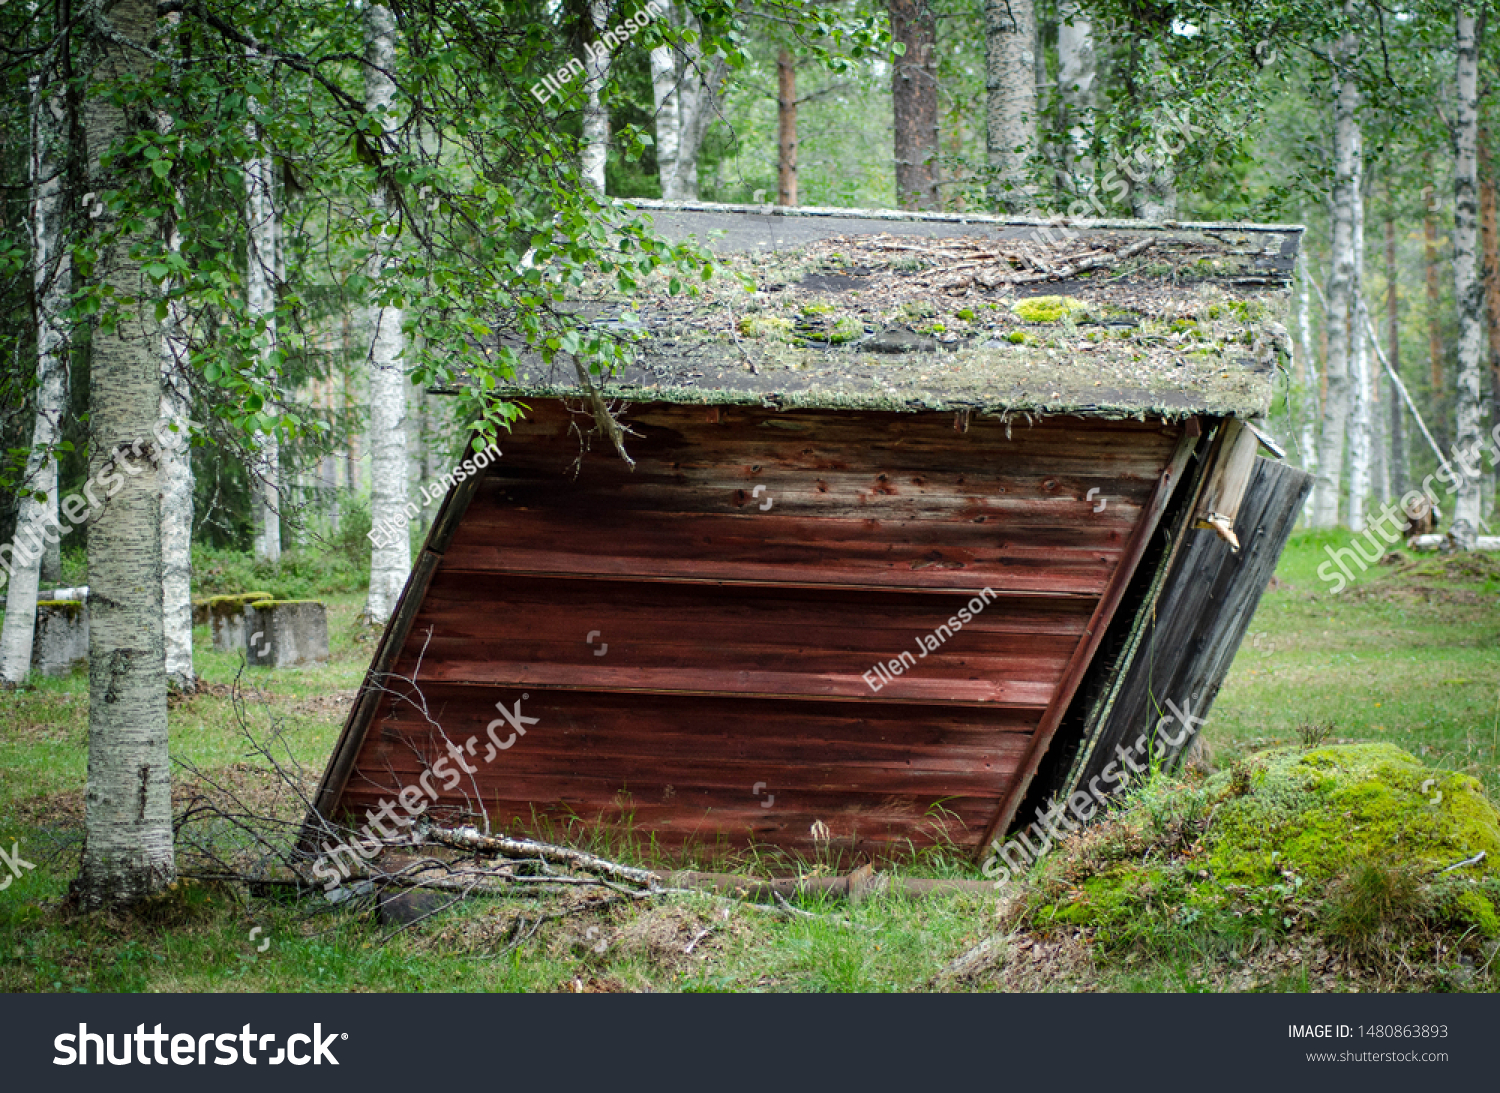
point(919, 535)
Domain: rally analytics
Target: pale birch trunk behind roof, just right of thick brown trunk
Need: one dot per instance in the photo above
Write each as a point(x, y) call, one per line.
point(1010, 43)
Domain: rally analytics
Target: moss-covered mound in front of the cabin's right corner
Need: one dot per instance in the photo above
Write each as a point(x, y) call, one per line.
point(1357, 843)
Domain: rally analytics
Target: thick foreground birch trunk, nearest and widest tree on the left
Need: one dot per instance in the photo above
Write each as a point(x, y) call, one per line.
point(128, 849)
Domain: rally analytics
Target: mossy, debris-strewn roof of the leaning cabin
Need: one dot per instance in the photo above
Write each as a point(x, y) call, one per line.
point(865, 310)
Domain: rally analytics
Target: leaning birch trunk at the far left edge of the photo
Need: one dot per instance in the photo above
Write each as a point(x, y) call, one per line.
point(37, 526)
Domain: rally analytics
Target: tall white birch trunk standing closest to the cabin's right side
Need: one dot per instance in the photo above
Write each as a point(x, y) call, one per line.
point(1342, 289)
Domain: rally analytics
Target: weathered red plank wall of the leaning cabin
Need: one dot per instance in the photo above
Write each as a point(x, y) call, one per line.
point(692, 645)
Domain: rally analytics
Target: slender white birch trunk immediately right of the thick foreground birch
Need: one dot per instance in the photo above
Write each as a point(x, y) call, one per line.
point(176, 464)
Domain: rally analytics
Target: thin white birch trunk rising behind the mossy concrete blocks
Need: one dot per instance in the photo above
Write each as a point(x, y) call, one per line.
point(260, 299)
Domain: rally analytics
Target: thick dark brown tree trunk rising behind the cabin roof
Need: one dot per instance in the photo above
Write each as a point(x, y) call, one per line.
point(914, 98)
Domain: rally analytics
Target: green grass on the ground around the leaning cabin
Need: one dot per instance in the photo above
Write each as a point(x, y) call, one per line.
point(1408, 657)
